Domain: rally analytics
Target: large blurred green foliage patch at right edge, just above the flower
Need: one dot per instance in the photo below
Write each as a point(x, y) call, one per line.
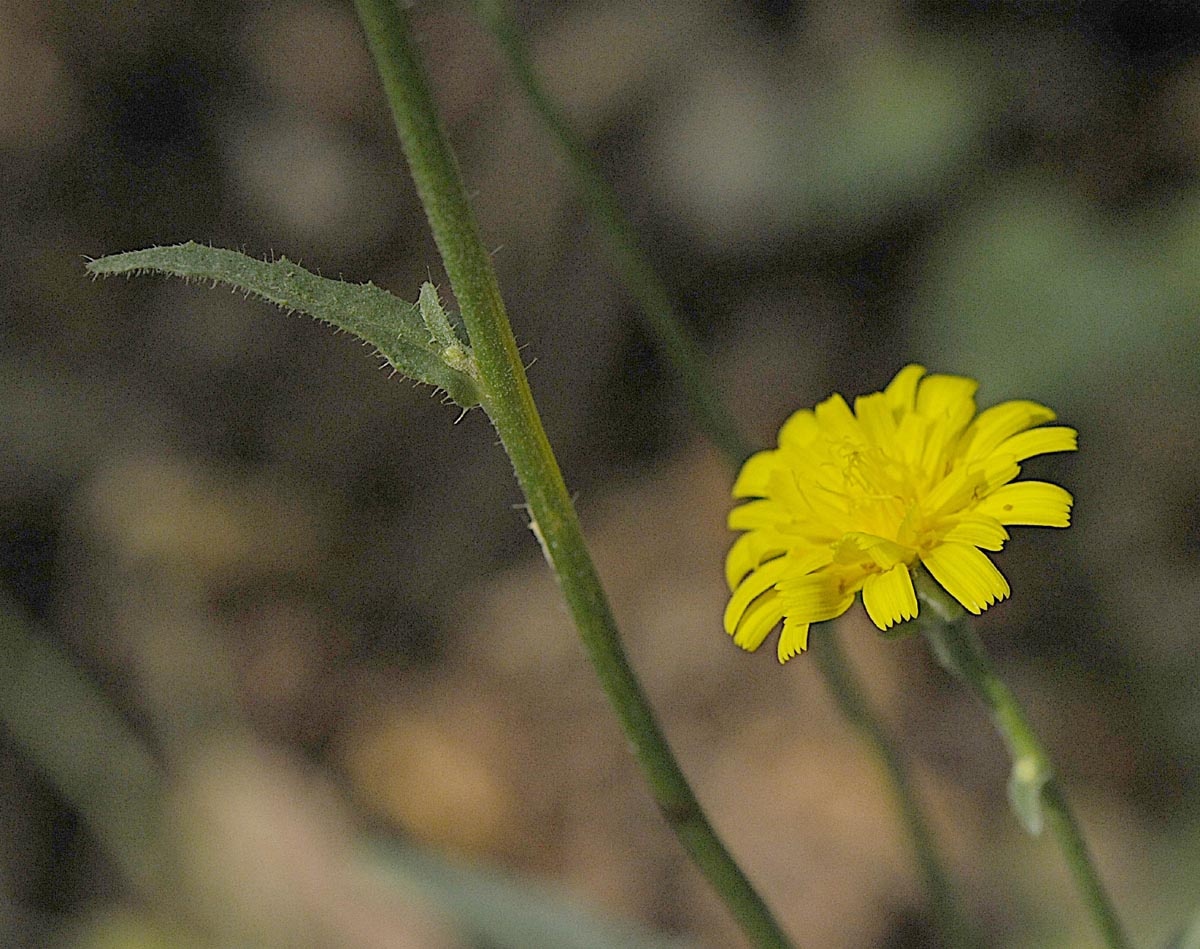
point(1036, 292)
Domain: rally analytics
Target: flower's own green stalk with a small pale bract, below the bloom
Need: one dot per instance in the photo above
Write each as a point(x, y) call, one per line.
point(1034, 791)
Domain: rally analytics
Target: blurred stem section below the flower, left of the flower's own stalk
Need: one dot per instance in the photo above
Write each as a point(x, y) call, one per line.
point(955, 928)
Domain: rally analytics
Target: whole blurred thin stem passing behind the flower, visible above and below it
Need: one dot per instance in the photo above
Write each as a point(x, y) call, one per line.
point(715, 419)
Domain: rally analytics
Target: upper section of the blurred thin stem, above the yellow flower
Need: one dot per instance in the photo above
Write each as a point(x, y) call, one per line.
point(637, 272)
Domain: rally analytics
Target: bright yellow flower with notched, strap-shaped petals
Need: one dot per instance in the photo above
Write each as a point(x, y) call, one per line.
point(853, 501)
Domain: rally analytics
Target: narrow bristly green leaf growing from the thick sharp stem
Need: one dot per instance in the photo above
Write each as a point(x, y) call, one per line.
point(392, 326)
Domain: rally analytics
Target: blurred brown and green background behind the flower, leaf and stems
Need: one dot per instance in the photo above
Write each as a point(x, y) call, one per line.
point(265, 605)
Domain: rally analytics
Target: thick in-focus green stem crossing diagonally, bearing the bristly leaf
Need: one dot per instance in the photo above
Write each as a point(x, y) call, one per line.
point(509, 403)
